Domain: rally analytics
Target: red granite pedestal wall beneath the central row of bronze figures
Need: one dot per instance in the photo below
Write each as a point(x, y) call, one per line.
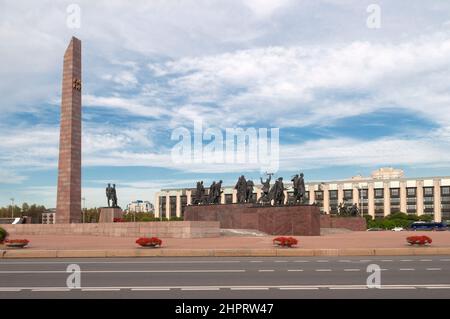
point(282, 220)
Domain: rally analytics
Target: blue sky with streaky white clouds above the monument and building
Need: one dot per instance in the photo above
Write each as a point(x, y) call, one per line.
point(347, 94)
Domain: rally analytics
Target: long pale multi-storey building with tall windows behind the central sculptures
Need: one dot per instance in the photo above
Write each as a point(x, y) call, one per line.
point(386, 191)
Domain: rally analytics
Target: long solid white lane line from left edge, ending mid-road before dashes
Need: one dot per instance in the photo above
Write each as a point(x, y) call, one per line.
point(124, 271)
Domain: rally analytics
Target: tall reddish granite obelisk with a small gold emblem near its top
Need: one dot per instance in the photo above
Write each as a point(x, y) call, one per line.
point(68, 206)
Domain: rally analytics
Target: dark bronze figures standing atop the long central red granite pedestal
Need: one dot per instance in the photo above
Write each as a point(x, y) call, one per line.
point(244, 191)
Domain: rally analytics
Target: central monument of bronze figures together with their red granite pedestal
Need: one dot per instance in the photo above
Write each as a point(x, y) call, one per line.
point(271, 213)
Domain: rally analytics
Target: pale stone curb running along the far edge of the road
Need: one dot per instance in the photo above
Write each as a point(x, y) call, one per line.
point(274, 252)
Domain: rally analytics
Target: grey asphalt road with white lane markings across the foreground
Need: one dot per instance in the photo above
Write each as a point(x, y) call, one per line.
point(277, 277)
